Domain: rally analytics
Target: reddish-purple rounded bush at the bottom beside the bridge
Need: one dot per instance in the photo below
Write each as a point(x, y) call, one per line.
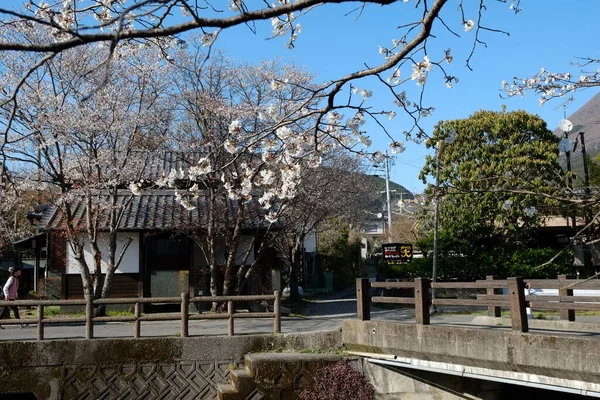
point(338, 382)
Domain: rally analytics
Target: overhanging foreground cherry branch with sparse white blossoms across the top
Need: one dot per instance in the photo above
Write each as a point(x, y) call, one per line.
point(406, 60)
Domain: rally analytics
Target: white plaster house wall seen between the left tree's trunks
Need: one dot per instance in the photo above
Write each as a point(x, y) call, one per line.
point(129, 264)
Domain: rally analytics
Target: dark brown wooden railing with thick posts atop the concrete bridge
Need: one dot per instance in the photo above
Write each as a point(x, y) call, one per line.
point(516, 300)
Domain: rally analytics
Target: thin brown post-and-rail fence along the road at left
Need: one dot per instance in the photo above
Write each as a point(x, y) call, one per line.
point(184, 316)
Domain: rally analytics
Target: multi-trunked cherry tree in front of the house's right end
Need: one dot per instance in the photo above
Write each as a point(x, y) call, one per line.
point(240, 154)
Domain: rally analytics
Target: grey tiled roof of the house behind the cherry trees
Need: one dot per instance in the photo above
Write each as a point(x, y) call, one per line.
point(153, 210)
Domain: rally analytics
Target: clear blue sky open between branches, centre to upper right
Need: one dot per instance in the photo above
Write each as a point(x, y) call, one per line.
point(547, 33)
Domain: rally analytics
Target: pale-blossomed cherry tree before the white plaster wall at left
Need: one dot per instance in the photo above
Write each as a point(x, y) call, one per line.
point(81, 139)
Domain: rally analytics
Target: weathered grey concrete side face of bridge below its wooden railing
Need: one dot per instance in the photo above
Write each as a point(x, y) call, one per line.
point(548, 355)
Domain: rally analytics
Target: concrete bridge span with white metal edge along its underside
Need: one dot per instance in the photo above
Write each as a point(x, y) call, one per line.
point(549, 360)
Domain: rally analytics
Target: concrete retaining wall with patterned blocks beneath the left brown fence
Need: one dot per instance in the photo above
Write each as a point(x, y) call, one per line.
point(145, 368)
